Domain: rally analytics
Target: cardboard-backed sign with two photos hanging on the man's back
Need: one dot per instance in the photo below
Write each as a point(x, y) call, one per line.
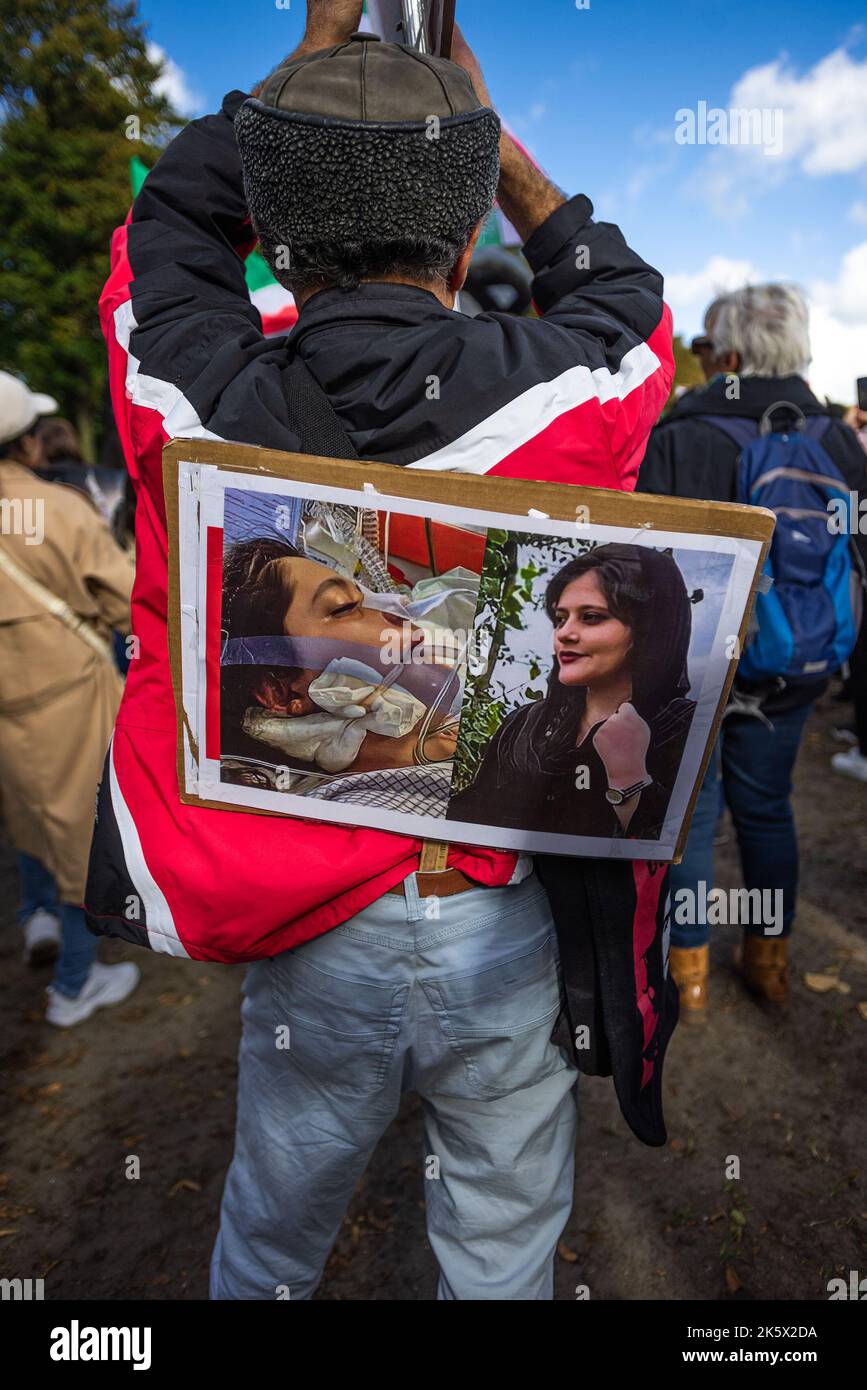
point(461, 658)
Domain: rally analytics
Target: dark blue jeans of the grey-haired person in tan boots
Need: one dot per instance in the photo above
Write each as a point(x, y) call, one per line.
point(755, 765)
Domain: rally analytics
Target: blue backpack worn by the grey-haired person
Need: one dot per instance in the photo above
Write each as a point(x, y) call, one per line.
point(807, 623)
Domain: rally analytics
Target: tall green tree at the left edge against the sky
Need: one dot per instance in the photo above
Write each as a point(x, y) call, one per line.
point(77, 101)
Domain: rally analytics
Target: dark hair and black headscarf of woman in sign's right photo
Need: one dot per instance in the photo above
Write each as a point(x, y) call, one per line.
point(645, 590)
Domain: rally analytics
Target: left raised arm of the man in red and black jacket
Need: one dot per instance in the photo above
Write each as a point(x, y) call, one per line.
point(176, 311)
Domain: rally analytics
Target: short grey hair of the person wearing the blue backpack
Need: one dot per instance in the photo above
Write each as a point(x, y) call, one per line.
point(768, 326)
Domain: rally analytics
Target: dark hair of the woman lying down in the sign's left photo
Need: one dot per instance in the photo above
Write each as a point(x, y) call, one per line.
point(255, 598)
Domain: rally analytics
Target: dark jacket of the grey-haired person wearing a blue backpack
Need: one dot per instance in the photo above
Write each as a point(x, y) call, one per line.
point(690, 458)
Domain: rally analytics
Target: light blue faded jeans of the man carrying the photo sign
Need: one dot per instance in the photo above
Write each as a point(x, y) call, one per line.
point(454, 999)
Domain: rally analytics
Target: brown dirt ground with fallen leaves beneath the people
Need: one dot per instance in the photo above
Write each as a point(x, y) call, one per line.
point(156, 1078)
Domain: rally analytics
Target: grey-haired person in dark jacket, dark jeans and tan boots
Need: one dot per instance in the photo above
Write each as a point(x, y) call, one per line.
point(755, 354)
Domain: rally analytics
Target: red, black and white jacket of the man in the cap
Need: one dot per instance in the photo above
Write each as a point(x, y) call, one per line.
point(569, 398)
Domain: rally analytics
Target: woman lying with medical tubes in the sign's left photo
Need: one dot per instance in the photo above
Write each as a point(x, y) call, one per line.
point(313, 700)
